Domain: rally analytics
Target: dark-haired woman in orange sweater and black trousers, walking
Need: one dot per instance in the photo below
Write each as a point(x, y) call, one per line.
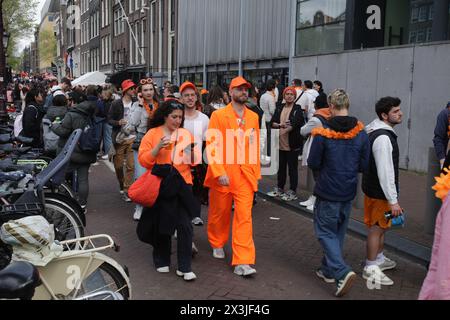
point(163, 151)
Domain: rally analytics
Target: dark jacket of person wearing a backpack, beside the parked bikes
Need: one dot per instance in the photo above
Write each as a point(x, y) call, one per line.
point(76, 118)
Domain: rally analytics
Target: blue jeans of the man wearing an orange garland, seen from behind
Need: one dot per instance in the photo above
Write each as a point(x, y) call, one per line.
point(330, 225)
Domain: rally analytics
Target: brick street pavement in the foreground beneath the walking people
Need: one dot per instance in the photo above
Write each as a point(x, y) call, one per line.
point(286, 249)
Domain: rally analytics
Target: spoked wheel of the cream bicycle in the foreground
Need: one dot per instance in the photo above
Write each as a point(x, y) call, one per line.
point(105, 278)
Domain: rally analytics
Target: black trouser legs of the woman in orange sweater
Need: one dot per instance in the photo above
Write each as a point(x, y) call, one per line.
point(163, 247)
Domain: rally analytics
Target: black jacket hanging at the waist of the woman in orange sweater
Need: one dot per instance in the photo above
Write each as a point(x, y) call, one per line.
point(175, 202)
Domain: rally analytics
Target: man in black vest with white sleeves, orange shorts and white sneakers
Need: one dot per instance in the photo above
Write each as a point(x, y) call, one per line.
point(381, 187)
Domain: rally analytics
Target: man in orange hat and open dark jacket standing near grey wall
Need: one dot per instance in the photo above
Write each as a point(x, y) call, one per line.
point(288, 119)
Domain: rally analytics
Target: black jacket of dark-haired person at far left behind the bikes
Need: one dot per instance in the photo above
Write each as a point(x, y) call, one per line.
point(32, 124)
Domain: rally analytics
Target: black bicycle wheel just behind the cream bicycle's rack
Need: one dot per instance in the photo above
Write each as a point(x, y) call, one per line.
point(67, 224)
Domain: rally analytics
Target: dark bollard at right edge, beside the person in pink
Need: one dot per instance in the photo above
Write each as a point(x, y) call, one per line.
point(433, 203)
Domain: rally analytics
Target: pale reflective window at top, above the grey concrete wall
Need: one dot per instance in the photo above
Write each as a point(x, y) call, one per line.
point(324, 20)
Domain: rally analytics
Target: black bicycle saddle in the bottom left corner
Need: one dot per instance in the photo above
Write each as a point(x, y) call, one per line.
point(18, 281)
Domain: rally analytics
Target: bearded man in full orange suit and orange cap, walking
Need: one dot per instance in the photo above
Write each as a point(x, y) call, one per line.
point(233, 174)
